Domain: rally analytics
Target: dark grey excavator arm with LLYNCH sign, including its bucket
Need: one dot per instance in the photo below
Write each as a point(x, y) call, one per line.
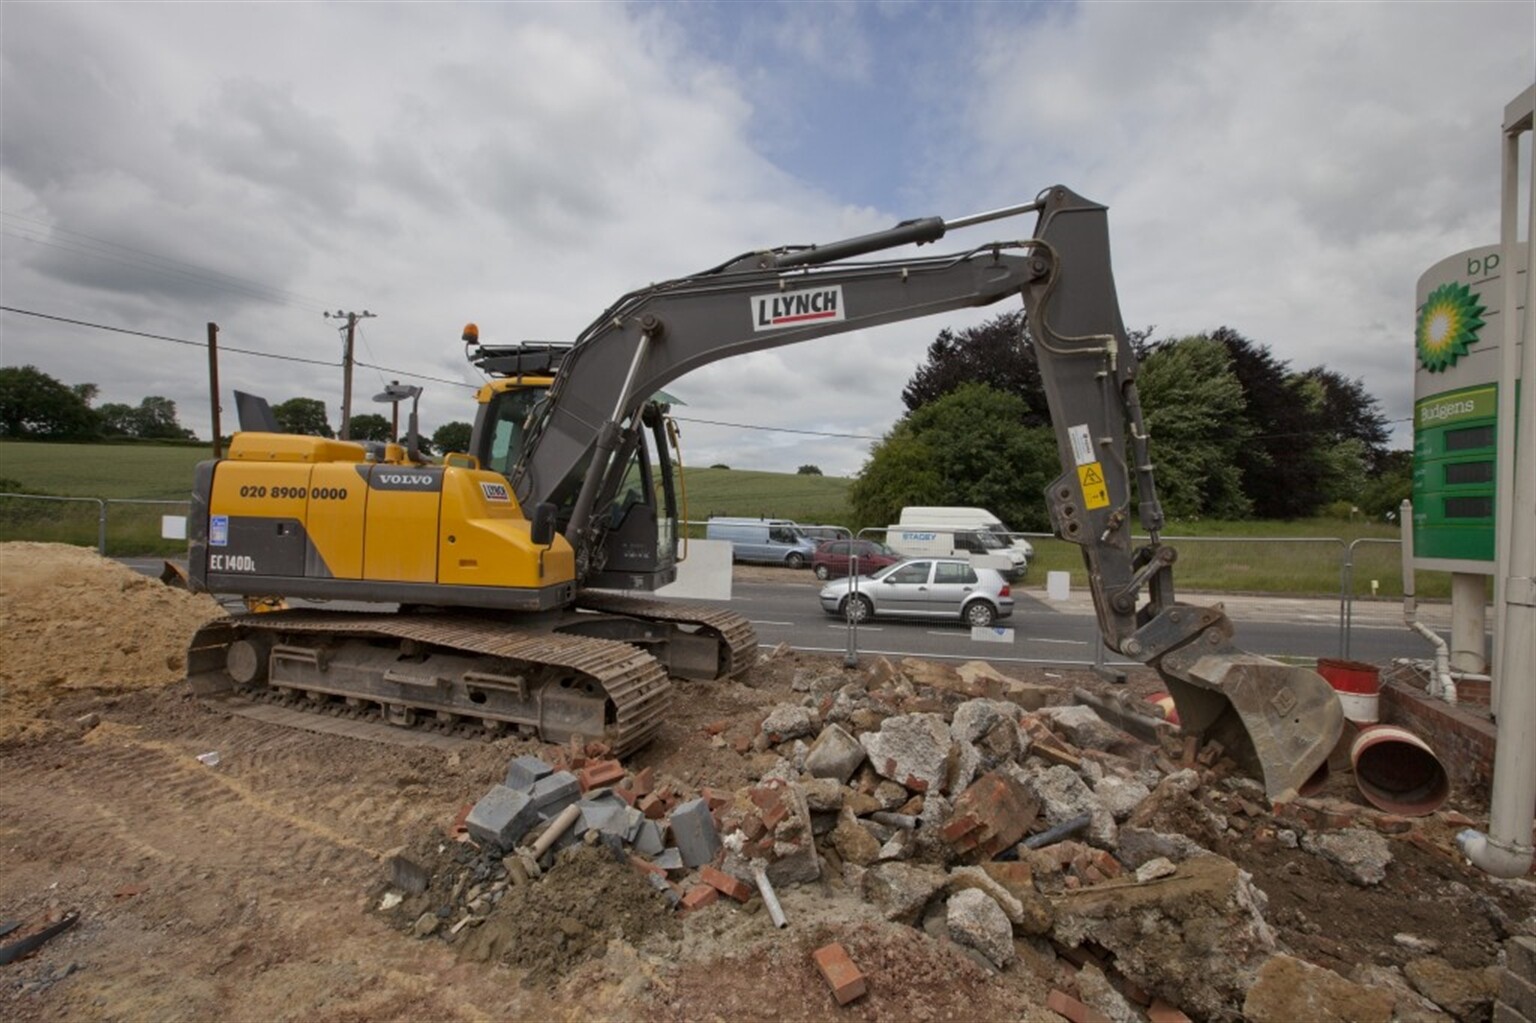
point(1282, 721)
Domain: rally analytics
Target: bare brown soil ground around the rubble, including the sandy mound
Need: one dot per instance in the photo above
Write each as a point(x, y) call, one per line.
point(251, 889)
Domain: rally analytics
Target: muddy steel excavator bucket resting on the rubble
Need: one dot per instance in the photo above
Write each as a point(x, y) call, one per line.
point(1279, 721)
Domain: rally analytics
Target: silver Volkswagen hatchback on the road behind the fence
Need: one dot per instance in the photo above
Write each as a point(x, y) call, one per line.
point(924, 588)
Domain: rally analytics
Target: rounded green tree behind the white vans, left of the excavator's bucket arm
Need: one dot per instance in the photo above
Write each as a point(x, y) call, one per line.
point(973, 446)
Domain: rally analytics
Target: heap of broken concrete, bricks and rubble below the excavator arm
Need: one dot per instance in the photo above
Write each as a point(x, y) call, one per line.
point(988, 813)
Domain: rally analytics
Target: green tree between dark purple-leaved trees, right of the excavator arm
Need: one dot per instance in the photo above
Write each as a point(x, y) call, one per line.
point(1196, 415)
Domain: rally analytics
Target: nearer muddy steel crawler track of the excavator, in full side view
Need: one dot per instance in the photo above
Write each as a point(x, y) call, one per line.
point(439, 669)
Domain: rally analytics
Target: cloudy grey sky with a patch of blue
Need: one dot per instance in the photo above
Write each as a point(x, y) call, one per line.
point(1285, 170)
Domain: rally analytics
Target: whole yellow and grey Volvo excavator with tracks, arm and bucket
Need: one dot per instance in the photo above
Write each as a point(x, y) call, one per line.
point(500, 586)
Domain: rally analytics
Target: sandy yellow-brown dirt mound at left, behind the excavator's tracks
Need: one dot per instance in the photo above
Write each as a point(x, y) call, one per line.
point(71, 620)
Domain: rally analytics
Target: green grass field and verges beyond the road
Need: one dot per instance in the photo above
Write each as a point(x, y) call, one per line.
point(1297, 558)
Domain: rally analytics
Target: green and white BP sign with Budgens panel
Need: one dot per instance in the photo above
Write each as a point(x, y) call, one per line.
point(1457, 339)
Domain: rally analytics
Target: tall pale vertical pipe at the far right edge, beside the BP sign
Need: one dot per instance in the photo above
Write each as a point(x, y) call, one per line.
point(1508, 852)
